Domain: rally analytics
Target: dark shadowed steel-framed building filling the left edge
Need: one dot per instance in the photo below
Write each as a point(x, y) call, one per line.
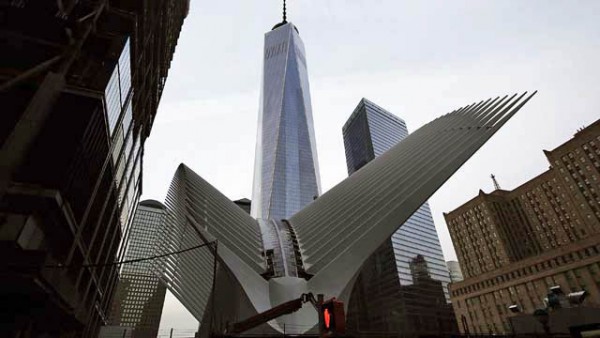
point(80, 82)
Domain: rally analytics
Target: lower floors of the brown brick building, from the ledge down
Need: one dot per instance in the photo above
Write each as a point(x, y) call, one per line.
point(481, 303)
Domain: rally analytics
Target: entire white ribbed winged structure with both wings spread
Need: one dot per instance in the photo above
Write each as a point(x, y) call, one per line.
point(321, 248)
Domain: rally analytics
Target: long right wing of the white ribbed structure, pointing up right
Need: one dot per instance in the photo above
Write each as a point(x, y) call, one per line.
point(345, 225)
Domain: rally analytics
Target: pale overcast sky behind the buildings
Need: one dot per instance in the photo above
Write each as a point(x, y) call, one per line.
point(417, 59)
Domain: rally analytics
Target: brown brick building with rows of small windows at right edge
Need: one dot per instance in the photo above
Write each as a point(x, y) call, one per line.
point(513, 245)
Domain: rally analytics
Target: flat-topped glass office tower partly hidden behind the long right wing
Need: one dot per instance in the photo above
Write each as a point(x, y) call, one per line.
point(383, 298)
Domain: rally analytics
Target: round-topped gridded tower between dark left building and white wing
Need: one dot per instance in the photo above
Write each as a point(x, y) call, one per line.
point(138, 302)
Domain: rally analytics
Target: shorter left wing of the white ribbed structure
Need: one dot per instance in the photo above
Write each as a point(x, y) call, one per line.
point(198, 213)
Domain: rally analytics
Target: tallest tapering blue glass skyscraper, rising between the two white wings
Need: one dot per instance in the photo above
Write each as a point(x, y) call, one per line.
point(286, 173)
